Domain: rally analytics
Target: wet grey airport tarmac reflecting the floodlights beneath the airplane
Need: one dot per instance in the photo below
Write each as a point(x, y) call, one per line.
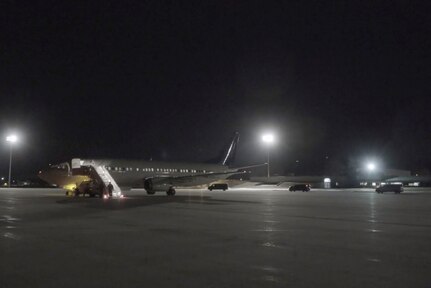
point(261, 237)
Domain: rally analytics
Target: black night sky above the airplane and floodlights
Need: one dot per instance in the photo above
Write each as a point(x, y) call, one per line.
point(173, 80)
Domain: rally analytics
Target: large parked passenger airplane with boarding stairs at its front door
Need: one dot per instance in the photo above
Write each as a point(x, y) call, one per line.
point(153, 176)
